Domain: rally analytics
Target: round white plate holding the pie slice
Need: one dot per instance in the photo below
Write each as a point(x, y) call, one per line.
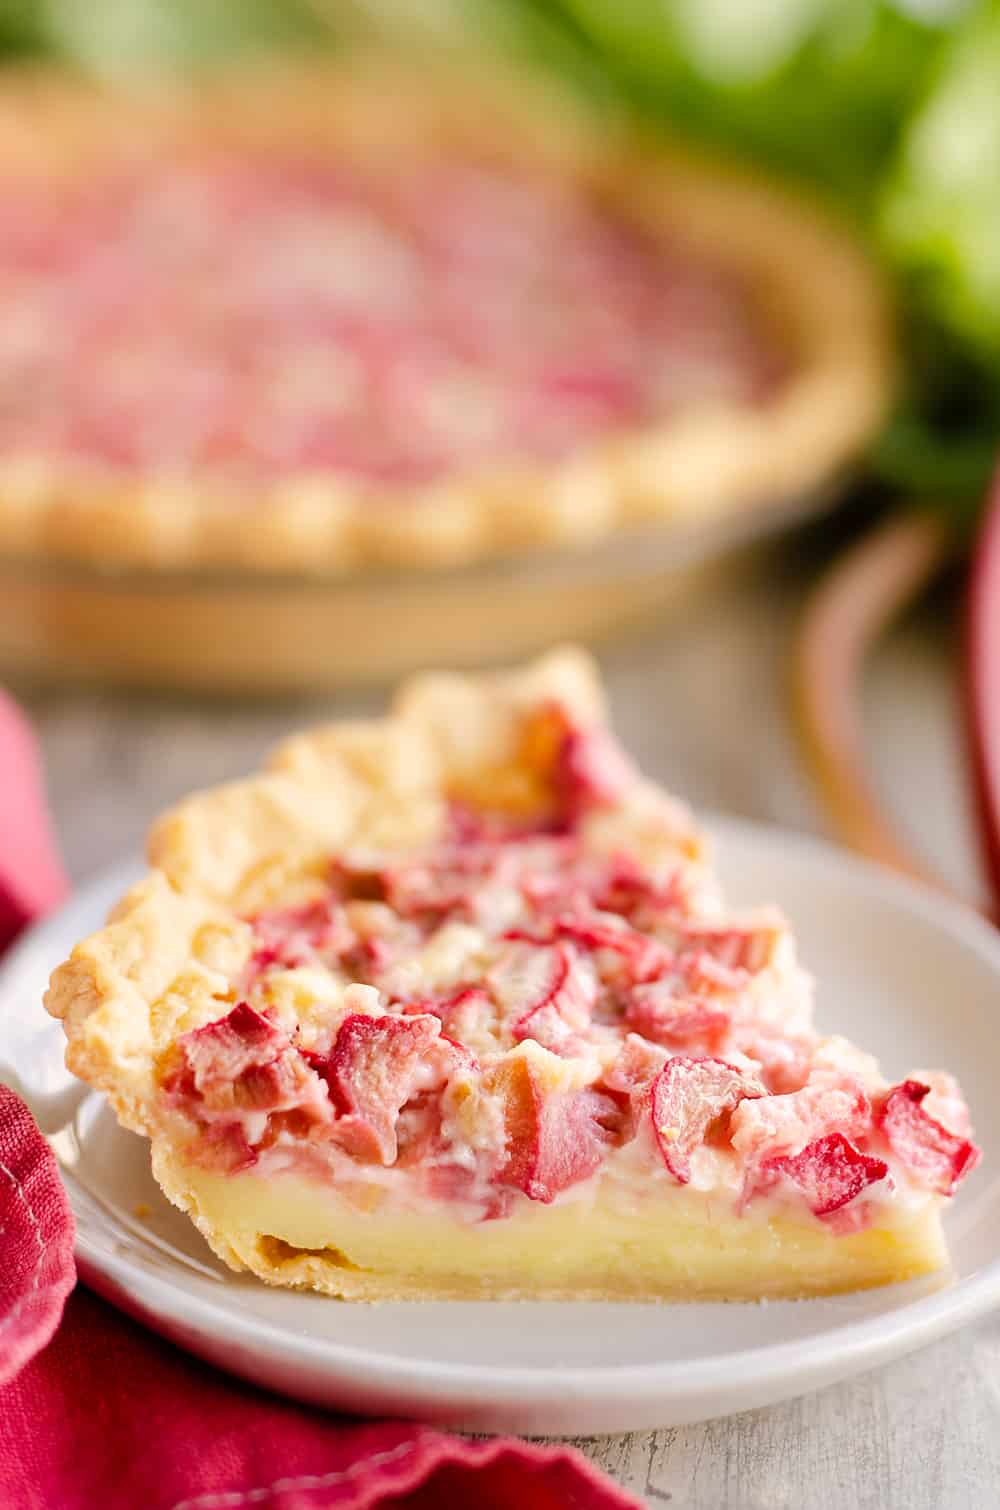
point(912, 978)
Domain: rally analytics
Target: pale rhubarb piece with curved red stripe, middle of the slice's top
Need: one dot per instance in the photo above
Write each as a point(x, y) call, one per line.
point(548, 993)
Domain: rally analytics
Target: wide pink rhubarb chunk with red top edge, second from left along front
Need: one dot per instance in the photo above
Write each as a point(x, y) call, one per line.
point(372, 1071)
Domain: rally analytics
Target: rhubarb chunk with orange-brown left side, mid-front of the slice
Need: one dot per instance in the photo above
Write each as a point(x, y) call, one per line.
point(554, 1139)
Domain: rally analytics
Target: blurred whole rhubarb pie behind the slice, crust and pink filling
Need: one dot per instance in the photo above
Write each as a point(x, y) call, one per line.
point(351, 318)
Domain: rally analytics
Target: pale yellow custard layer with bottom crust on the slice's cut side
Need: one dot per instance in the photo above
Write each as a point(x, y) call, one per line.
point(289, 1231)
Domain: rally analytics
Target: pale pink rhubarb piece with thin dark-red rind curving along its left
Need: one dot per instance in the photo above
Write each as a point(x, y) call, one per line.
point(690, 1096)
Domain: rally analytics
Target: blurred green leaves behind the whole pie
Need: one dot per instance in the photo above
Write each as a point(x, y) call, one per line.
point(889, 106)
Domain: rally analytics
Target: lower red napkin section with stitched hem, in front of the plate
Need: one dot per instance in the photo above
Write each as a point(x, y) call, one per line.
point(111, 1416)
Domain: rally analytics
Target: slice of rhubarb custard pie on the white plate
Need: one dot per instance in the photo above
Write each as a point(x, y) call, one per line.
point(449, 1005)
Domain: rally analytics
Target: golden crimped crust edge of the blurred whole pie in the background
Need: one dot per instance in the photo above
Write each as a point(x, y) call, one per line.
point(809, 276)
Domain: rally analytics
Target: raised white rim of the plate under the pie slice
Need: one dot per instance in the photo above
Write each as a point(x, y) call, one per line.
point(792, 1364)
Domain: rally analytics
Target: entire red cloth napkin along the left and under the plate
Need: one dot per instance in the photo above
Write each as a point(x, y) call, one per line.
point(106, 1416)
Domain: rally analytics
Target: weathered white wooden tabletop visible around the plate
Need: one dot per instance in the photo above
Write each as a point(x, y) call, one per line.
point(702, 704)
